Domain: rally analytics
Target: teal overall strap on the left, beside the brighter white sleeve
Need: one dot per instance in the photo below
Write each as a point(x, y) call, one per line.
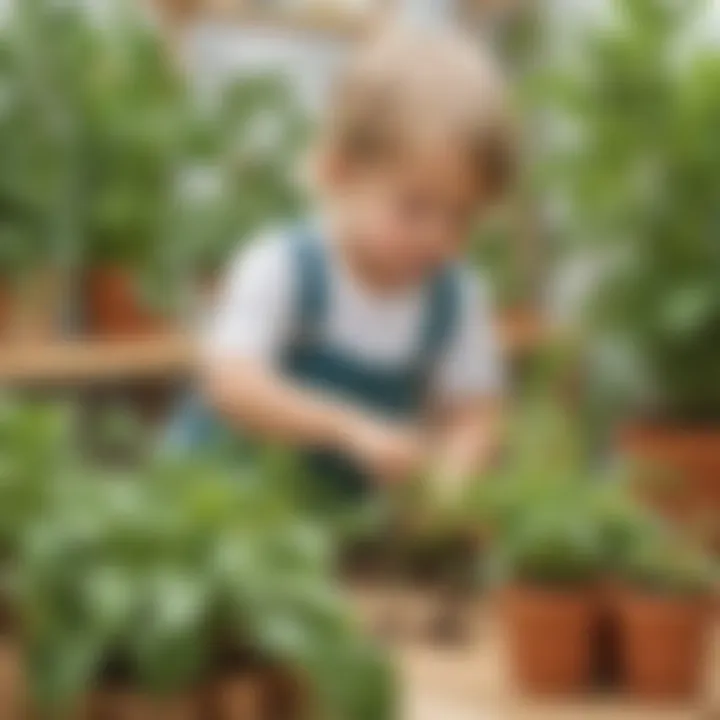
point(311, 278)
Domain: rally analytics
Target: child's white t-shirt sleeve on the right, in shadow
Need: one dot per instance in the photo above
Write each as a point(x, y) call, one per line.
point(472, 365)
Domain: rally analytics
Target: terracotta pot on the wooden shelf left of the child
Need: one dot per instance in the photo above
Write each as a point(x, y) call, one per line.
point(114, 307)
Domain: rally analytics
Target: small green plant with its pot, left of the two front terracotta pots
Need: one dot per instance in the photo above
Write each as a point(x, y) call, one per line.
point(550, 564)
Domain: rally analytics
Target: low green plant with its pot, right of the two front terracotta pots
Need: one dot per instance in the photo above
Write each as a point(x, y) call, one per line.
point(665, 612)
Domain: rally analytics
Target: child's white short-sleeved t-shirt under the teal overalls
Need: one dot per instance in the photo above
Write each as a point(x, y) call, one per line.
point(255, 316)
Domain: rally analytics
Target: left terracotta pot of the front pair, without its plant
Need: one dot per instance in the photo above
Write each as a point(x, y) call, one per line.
point(550, 638)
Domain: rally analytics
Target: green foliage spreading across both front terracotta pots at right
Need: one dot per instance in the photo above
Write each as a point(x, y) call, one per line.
point(555, 522)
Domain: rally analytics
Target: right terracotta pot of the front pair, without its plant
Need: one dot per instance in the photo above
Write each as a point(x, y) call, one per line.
point(664, 644)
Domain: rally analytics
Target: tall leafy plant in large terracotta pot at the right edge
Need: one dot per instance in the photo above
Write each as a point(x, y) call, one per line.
point(640, 184)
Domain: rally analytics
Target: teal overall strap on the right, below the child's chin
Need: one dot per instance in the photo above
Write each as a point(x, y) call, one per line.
point(442, 317)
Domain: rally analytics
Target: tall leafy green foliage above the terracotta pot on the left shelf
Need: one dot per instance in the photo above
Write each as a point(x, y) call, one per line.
point(118, 110)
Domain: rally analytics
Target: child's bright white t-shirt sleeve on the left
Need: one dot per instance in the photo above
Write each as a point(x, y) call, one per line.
point(252, 317)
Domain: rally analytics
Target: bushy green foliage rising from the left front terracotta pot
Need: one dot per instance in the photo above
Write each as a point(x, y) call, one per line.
point(553, 519)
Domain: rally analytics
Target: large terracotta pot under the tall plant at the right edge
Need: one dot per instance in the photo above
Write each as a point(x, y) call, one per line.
point(680, 469)
